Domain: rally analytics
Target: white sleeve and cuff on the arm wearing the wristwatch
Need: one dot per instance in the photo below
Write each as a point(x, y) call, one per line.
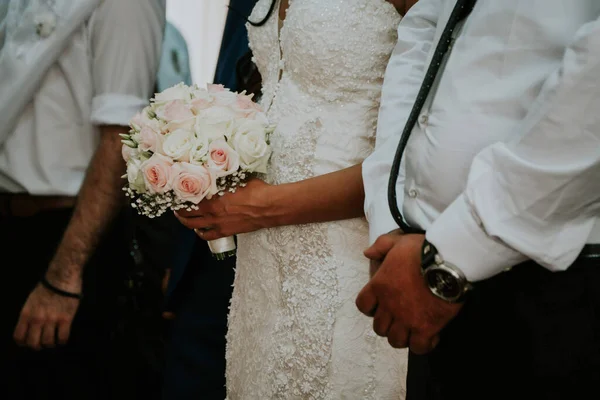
point(538, 196)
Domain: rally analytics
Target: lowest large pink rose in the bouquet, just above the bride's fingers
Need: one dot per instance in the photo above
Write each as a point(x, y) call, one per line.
point(193, 183)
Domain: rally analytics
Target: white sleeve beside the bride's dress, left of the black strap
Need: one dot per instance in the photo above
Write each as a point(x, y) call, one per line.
point(403, 77)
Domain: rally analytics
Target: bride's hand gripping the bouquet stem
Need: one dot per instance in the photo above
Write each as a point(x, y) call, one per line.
point(247, 210)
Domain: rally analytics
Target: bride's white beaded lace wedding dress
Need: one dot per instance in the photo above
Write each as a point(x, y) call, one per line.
point(294, 329)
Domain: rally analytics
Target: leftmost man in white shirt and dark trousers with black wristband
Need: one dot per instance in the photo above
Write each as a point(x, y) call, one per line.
point(73, 75)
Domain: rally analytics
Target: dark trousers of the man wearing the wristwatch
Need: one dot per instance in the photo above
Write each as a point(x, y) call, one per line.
point(525, 334)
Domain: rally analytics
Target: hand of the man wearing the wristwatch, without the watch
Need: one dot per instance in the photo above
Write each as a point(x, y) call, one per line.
point(404, 309)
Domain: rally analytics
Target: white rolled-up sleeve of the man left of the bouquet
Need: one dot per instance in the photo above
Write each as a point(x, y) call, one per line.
point(126, 39)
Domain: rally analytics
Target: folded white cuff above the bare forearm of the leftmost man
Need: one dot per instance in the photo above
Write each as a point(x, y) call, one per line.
point(115, 109)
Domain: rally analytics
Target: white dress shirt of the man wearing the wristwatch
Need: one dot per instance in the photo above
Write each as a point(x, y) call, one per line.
point(504, 163)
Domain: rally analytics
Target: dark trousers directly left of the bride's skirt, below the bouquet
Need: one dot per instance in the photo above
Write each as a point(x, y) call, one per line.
point(195, 361)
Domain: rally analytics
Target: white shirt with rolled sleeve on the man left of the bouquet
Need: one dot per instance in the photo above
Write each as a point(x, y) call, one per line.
point(104, 74)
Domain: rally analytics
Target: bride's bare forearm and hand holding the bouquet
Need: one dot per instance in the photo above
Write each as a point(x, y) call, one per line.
point(330, 197)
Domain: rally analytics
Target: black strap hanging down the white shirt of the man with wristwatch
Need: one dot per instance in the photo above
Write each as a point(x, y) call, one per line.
point(461, 10)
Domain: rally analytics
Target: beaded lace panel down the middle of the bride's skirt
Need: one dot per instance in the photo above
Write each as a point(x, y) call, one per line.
point(304, 330)
